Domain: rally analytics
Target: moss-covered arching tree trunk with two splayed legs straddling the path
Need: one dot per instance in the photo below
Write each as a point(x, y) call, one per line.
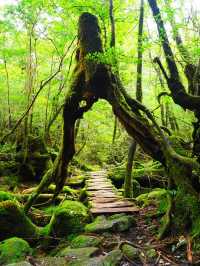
point(94, 80)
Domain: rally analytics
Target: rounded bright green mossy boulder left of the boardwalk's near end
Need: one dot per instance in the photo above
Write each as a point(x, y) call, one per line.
point(69, 217)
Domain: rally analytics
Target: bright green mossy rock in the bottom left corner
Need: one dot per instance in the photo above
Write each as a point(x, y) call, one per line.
point(14, 250)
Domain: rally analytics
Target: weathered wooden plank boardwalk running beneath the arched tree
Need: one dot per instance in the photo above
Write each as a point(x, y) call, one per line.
point(103, 196)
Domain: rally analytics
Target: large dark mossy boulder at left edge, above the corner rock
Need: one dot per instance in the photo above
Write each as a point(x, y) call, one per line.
point(13, 222)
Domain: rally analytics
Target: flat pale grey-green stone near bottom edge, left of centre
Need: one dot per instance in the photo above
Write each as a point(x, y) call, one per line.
point(77, 253)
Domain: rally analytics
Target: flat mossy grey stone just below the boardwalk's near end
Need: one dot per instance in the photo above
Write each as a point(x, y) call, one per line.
point(114, 223)
